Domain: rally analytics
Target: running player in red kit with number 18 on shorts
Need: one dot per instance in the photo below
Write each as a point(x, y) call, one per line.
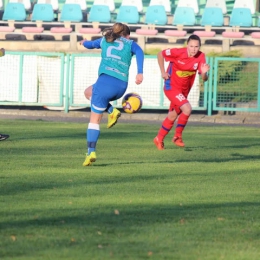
point(179, 78)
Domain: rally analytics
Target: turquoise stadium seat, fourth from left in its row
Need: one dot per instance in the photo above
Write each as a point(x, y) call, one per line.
point(99, 13)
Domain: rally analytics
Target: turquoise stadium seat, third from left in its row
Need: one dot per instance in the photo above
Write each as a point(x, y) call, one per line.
point(71, 13)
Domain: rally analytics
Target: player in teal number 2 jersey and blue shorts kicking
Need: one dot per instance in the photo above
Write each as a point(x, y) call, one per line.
point(116, 53)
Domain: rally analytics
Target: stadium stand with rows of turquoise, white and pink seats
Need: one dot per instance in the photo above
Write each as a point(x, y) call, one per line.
point(202, 17)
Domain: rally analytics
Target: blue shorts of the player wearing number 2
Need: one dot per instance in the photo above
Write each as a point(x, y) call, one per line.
point(106, 89)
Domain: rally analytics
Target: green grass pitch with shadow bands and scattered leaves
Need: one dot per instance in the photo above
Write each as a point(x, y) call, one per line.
point(135, 202)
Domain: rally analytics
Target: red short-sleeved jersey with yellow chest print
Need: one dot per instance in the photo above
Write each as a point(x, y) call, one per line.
point(182, 69)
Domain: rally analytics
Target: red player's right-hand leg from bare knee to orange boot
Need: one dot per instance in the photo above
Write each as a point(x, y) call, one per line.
point(181, 123)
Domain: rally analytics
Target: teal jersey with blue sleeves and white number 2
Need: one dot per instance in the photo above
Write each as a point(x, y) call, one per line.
point(116, 56)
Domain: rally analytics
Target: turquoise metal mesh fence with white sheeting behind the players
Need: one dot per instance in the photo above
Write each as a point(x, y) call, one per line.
point(58, 80)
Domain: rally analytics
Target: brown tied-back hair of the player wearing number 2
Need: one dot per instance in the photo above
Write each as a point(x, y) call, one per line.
point(116, 31)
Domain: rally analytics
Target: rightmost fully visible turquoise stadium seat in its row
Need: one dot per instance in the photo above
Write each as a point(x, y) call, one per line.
point(241, 17)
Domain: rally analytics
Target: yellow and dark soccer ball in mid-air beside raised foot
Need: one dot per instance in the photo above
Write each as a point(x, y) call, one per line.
point(132, 103)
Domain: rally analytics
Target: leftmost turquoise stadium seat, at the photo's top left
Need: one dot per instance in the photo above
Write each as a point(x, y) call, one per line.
point(14, 12)
